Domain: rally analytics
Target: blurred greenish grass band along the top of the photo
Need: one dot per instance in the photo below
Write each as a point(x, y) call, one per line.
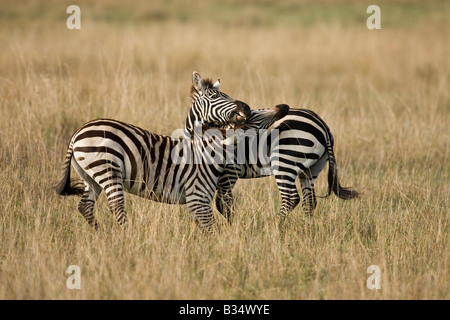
point(397, 13)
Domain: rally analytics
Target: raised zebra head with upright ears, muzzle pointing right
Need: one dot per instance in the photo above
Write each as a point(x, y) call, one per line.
point(213, 107)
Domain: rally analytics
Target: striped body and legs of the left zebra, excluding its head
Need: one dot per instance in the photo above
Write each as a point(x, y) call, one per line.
point(115, 157)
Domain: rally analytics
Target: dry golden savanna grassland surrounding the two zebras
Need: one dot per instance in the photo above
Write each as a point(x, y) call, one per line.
point(384, 93)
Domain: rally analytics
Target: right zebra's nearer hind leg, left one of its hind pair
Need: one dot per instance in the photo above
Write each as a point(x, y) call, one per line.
point(289, 194)
